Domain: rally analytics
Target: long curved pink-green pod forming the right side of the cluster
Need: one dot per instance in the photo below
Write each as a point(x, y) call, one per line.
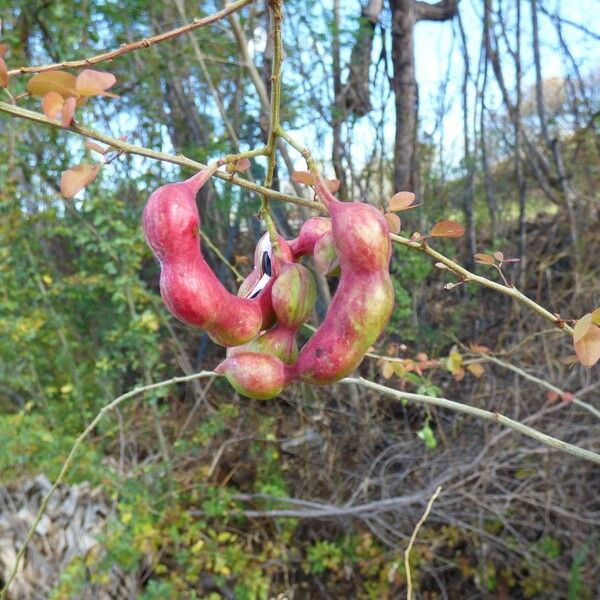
point(363, 301)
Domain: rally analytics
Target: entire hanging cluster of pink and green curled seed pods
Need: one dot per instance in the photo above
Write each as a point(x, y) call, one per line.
point(259, 325)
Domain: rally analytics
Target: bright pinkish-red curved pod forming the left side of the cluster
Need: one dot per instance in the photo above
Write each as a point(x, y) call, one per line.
point(189, 288)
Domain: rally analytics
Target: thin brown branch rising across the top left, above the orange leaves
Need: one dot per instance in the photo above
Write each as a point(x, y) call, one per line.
point(143, 43)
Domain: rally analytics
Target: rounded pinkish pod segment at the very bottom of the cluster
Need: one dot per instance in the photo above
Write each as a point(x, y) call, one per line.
point(259, 376)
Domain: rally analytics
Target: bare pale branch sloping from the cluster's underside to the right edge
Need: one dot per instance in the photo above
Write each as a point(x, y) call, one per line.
point(480, 413)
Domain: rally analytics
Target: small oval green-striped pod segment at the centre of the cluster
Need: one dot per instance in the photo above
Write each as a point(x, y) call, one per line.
point(294, 295)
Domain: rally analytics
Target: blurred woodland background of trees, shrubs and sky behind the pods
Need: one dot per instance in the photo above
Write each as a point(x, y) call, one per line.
point(490, 113)
